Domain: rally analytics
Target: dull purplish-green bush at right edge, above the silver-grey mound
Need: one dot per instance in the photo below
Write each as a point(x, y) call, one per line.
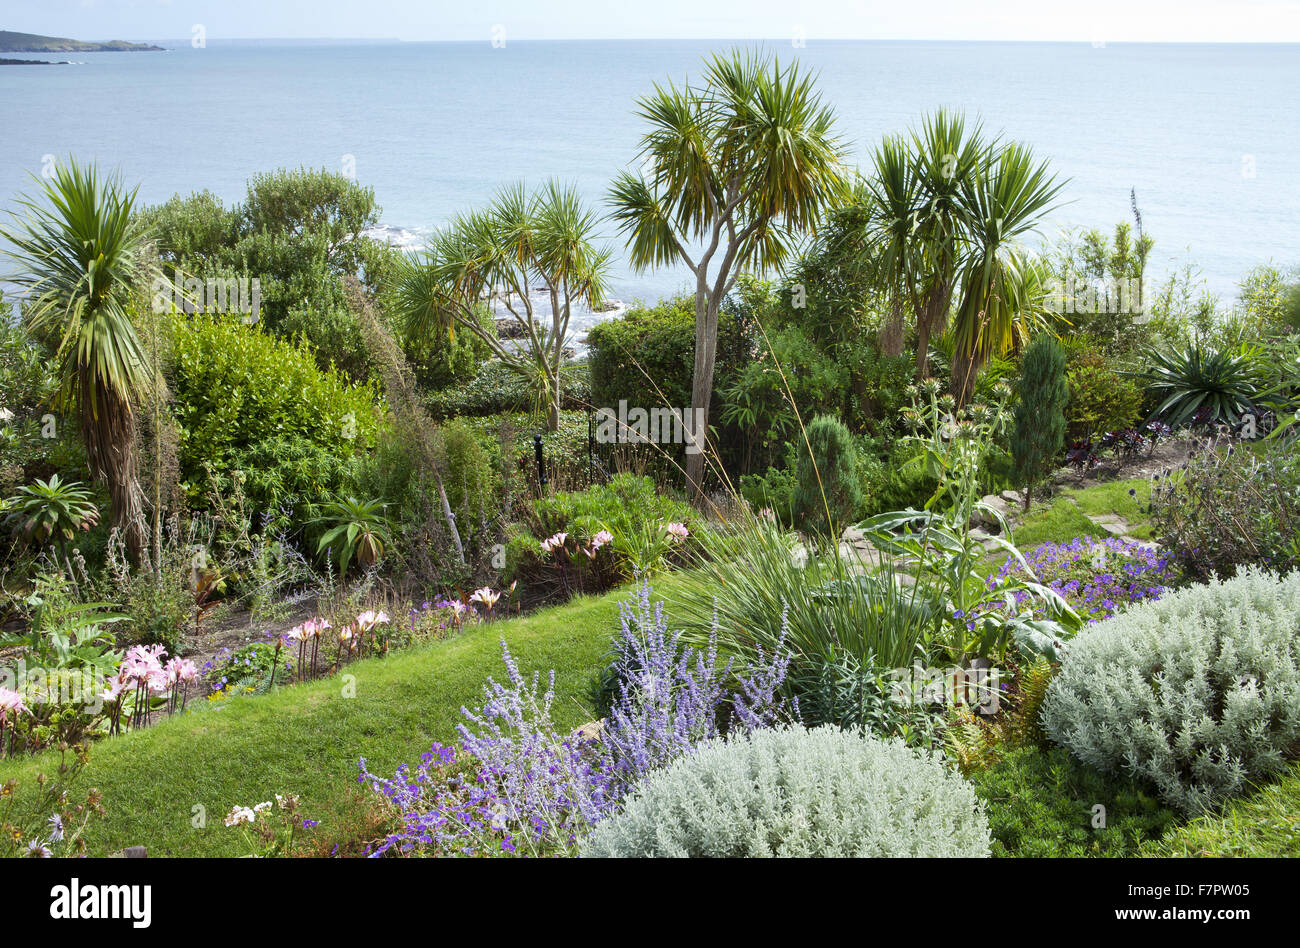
point(1229, 508)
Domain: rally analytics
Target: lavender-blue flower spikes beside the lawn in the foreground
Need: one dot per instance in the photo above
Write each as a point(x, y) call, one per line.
point(518, 785)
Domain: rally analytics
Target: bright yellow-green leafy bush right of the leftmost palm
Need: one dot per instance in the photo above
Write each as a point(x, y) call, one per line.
point(249, 402)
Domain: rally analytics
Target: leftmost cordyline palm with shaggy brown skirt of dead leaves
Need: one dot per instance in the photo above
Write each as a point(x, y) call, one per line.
point(77, 252)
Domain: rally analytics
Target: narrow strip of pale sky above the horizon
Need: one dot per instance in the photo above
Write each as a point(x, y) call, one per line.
point(473, 20)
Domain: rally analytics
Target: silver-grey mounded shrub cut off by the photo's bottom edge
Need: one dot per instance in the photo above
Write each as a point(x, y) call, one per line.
point(794, 793)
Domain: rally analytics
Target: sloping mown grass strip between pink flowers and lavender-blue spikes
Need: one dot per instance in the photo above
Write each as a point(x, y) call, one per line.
point(307, 739)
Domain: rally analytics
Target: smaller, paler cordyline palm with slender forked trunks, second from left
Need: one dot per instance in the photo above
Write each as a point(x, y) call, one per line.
point(518, 245)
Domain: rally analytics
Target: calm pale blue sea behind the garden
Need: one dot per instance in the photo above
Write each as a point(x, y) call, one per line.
point(1204, 137)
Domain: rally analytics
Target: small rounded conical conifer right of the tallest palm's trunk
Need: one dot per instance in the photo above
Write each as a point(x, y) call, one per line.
point(827, 495)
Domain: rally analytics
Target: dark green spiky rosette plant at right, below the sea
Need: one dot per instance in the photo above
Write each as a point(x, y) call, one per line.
point(1219, 386)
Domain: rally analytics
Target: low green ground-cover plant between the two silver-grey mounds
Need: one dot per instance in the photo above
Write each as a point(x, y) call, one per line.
point(1043, 804)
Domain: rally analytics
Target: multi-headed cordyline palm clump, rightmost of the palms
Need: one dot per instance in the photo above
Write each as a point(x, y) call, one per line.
point(946, 213)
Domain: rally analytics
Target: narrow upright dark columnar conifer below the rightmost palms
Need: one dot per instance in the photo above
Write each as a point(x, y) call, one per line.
point(1038, 436)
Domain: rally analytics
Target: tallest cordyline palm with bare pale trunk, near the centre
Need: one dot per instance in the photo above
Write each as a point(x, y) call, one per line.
point(734, 170)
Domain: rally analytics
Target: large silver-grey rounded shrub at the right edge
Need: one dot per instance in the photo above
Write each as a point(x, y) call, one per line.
point(1198, 694)
